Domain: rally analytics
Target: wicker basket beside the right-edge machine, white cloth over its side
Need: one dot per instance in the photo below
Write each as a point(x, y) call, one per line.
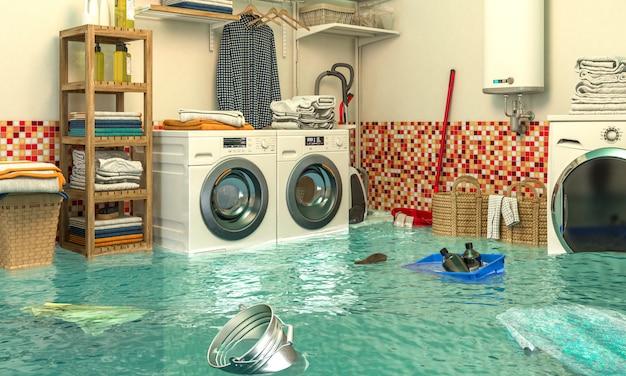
point(532, 228)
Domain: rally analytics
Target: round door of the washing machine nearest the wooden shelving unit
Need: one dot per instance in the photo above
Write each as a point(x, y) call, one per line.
point(233, 199)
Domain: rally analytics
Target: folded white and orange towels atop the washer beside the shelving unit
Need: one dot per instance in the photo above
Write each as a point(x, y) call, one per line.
point(208, 120)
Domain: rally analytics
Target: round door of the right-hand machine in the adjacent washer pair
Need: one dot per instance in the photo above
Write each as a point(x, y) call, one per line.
point(314, 192)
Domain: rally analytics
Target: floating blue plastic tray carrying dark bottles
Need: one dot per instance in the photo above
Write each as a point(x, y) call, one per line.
point(493, 264)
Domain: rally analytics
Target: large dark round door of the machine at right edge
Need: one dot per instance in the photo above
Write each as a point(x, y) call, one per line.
point(589, 202)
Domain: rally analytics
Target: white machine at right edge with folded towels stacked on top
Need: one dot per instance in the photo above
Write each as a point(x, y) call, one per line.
point(587, 183)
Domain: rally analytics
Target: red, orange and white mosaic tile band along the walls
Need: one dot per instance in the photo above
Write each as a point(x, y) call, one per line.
point(400, 157)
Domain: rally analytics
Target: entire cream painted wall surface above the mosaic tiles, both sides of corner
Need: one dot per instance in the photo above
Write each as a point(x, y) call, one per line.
point(403, 78)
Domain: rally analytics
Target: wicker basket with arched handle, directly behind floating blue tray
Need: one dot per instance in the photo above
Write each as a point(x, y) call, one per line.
point(461, 213)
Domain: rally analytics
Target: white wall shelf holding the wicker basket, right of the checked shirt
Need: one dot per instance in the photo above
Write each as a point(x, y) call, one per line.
point(365, 35)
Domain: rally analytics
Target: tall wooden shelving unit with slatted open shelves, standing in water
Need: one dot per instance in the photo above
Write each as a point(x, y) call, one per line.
point(140, 199)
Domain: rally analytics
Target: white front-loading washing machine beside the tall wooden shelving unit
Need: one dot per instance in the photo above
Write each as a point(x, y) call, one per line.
point(214, 190)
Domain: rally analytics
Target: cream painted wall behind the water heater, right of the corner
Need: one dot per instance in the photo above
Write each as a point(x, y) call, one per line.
point(406, 79)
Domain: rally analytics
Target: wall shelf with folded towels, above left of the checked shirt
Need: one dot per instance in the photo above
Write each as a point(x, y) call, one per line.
point(159, 12)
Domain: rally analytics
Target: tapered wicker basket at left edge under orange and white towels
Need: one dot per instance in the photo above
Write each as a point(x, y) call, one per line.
point(28, 228)
